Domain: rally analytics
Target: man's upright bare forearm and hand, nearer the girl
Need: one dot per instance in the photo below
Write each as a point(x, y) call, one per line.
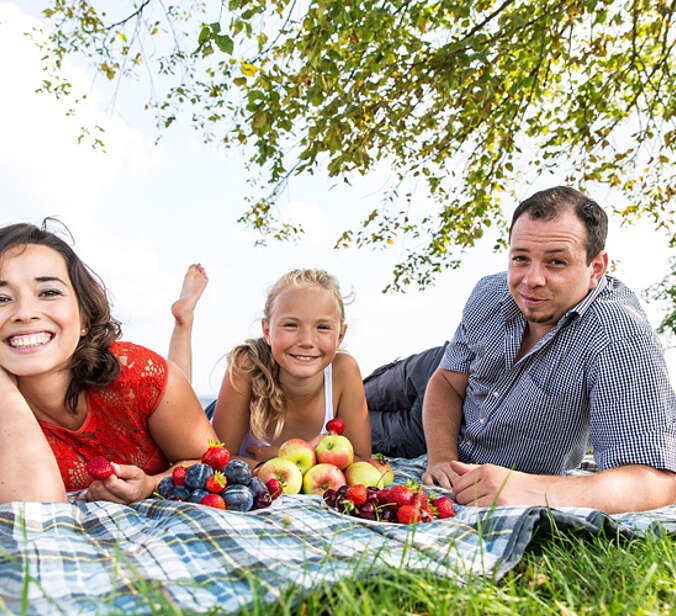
point(442, 417)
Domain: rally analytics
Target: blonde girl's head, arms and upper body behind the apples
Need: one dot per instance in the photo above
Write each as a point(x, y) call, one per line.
point(292, 380)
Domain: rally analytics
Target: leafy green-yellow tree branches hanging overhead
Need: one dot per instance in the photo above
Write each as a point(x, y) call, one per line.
point(468, 99)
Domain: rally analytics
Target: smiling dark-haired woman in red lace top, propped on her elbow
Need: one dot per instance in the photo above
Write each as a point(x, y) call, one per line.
point(70, 392)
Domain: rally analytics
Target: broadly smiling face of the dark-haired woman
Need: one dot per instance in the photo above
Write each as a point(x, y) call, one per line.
point(39, 315)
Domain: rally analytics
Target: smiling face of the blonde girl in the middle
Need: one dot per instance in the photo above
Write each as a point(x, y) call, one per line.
point(304, 330)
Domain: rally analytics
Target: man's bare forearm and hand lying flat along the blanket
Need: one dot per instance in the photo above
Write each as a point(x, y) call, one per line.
point(626, 488)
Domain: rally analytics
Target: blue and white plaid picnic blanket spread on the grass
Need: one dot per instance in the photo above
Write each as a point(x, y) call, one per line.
point(106, 558)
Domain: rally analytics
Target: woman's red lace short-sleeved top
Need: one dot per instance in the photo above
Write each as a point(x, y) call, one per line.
point(116, 425)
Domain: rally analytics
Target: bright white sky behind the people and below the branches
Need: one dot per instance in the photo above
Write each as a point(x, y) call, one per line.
point(141, 212)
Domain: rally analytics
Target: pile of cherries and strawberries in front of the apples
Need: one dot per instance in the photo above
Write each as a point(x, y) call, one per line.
point(407, 504)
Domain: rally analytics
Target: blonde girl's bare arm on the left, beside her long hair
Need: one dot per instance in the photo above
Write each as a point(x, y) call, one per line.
point(231, 414)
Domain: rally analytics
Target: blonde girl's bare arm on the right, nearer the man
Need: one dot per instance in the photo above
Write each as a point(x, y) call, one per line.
point(351, 406)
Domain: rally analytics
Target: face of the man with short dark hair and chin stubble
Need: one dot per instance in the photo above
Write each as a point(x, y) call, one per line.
point(548, 272)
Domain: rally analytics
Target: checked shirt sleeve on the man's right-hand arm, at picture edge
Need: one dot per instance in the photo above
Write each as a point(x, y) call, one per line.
point(632, 405)
